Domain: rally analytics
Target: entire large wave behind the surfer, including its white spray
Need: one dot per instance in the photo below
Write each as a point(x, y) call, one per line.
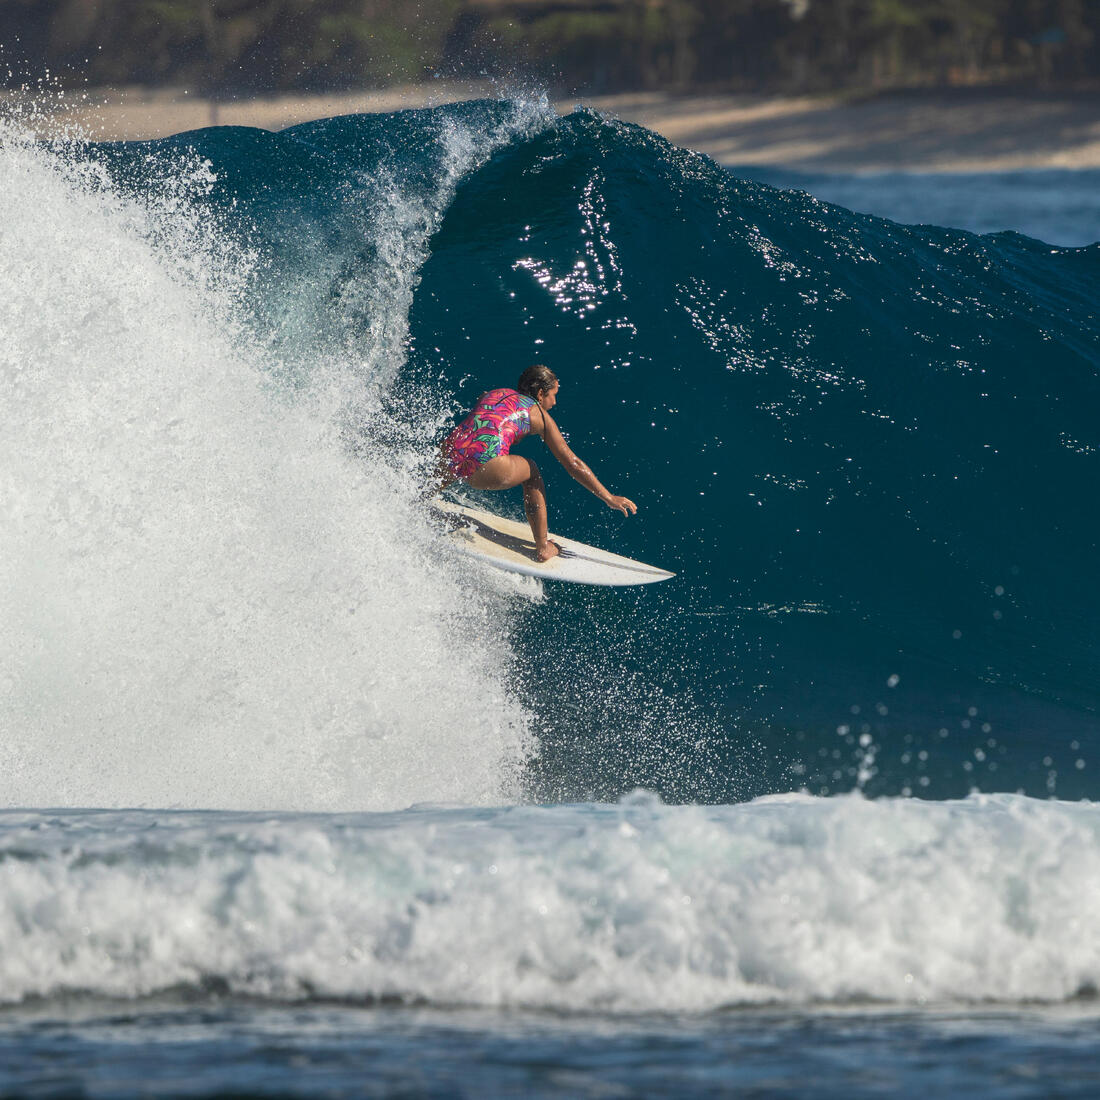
point(868, 449)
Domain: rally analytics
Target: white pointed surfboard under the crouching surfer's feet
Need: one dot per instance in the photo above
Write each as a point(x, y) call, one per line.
point(508, 545)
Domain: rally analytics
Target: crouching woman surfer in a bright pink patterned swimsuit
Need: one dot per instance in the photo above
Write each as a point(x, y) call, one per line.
point(478, 452)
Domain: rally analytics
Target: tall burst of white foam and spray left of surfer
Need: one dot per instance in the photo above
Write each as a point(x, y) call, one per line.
point(205, 600)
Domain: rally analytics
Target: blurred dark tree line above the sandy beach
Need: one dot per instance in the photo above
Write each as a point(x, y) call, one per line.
point(230, 47)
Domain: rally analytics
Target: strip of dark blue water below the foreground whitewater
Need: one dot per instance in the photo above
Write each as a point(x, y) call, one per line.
point(337, 1052)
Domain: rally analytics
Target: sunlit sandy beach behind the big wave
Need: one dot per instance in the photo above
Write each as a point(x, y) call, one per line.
point(964, 130)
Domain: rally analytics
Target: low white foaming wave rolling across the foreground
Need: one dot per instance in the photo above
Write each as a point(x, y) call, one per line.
point(630, 908)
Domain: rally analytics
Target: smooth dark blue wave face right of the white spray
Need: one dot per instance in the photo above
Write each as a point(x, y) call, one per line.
point(865, 447)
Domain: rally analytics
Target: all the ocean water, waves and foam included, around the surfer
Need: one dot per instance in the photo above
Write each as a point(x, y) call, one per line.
point(296, 805)
